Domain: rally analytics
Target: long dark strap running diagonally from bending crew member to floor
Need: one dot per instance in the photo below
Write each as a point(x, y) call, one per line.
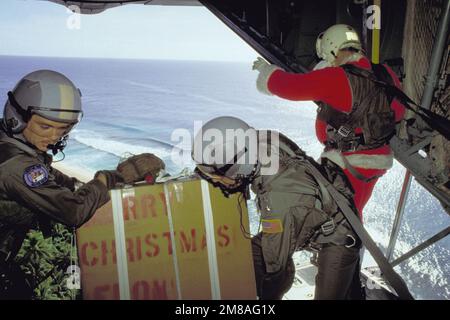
point(386, 268)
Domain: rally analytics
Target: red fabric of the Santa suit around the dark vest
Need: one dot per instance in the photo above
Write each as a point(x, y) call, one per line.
point(331, 86)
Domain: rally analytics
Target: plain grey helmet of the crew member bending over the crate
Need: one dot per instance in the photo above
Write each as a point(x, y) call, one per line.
point(226, 146)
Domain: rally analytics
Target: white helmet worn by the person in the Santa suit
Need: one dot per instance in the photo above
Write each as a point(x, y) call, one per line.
point(335, 38)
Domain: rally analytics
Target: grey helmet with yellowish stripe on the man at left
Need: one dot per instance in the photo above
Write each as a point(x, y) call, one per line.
point(46, 93)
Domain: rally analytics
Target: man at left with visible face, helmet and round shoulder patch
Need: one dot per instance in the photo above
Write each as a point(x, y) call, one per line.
point(39, 114)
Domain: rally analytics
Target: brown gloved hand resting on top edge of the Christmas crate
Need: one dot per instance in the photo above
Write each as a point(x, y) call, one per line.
point(145, 166)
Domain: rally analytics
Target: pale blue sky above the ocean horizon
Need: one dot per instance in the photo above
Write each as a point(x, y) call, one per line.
point(41, 28)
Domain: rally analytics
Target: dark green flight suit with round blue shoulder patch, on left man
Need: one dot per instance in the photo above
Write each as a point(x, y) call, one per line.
point(31, 194)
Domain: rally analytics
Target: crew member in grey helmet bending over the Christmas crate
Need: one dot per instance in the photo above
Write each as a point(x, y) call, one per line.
point(297, 212)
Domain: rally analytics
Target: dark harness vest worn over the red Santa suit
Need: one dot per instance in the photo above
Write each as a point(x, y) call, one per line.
point(371, 112)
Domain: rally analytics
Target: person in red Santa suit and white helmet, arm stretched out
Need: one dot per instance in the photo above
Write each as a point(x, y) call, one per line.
point(356, 118)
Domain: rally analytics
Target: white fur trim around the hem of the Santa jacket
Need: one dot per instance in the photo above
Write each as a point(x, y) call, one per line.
point(364, 161)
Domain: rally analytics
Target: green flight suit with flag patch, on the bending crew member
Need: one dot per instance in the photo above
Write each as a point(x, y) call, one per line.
point(293, 208)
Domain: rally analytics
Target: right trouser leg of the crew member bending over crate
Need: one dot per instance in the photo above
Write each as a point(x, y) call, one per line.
point(338, 274)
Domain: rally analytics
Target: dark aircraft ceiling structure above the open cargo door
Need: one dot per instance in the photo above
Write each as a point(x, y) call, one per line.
point(285, 31)
